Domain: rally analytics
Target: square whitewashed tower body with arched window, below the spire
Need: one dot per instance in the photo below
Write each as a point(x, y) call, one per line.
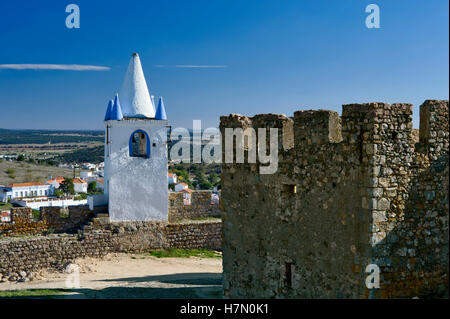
point(136, 187)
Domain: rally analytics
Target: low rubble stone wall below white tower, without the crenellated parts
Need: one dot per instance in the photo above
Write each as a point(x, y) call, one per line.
point(31, 254)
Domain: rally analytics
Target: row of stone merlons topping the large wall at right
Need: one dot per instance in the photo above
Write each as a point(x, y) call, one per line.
point(374, 122)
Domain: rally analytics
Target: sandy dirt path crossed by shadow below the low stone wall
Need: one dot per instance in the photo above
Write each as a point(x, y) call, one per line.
point(122, 275)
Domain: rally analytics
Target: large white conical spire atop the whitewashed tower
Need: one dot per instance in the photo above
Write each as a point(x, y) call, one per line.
point(134, 97)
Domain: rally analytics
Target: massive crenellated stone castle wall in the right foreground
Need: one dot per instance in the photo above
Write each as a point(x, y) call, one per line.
point(349, 191)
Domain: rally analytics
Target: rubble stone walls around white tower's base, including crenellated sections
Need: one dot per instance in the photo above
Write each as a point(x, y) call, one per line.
point(98, 236)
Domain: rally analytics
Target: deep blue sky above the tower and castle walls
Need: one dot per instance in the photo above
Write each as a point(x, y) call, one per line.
point(280, 56)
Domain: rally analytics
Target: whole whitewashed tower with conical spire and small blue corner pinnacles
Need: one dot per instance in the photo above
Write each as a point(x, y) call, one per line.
point(135, 152)
